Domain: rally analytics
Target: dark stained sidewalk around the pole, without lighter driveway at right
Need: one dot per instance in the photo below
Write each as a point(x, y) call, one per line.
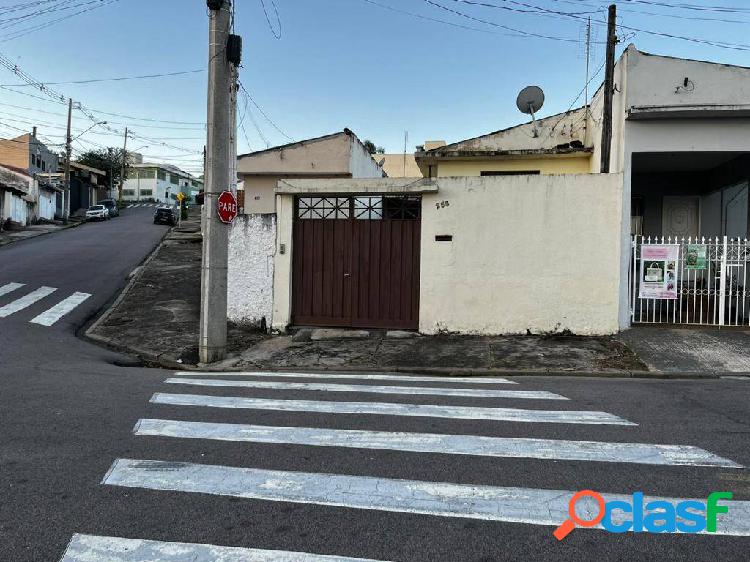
point(157, 318)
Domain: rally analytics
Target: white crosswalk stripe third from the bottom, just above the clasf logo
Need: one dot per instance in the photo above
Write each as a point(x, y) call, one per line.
point(514, 447)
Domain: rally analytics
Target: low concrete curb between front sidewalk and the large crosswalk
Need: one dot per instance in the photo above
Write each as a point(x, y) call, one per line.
point(469, 372)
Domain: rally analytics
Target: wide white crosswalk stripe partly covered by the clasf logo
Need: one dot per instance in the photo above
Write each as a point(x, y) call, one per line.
point(490, 503)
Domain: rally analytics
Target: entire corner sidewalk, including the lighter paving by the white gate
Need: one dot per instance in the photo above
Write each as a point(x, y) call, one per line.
point(157, 319)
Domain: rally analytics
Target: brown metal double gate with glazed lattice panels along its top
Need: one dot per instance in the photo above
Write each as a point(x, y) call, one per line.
point(356, 261)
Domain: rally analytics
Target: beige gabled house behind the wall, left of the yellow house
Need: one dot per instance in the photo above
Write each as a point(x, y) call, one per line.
point(339, 155)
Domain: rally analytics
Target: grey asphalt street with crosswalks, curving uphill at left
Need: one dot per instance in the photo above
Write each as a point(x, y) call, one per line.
point(75, 426)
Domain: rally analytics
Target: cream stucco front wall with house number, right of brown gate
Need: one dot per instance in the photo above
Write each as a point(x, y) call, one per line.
point(539, 253)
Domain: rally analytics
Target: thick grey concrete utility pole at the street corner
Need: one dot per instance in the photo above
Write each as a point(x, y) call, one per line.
point(213, 321)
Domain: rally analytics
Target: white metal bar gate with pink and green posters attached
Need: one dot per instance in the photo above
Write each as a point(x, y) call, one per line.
point(716, 295)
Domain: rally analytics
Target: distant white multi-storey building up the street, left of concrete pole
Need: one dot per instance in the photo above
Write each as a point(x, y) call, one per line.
point(159, 182)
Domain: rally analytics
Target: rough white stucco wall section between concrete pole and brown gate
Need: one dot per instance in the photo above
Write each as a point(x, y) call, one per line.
point(252, 240)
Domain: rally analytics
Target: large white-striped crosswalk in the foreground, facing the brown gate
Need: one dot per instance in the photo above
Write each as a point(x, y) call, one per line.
point(366, 493)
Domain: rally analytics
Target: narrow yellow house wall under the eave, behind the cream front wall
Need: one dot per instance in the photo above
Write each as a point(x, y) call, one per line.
point(567, 165)
